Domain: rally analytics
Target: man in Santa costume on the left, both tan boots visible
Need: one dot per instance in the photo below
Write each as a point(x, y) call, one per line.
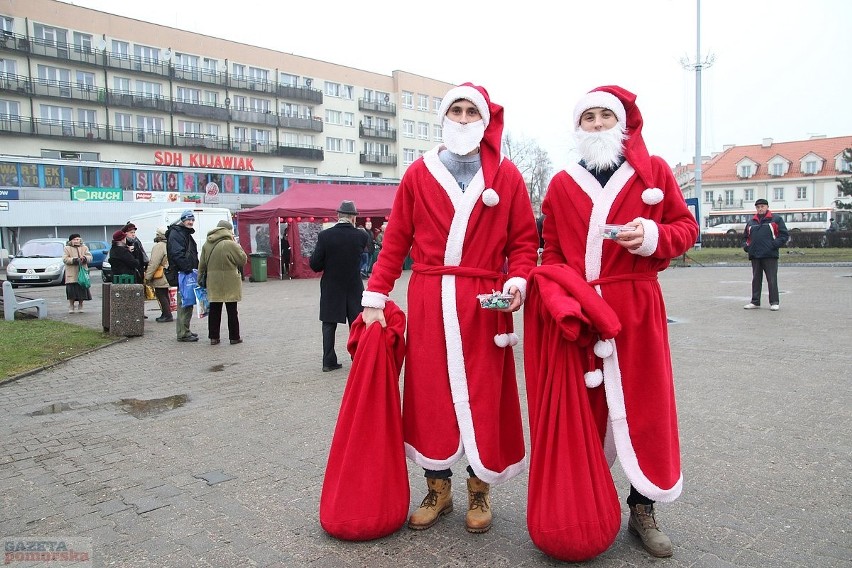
point(463, 213)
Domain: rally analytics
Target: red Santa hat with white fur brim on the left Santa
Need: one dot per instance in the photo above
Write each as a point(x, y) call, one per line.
point(492, 116)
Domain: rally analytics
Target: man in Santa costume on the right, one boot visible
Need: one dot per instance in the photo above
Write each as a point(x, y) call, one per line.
point(631, 388)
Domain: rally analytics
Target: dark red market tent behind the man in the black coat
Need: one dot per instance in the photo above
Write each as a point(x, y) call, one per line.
point(306, 208)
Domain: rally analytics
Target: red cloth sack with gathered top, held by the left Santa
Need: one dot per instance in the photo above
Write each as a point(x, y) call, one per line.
point(365, 493)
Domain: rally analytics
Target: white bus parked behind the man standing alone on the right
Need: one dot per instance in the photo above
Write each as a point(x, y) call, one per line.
point(810, 219)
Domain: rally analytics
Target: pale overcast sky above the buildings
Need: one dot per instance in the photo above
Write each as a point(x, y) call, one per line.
point(781, 68)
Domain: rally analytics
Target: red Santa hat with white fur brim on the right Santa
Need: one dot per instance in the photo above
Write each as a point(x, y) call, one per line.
point(635, 151)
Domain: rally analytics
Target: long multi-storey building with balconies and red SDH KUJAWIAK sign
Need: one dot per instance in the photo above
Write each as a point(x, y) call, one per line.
point(99, 107)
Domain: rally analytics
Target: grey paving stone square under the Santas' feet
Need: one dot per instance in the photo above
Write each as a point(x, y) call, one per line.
point(232, 476)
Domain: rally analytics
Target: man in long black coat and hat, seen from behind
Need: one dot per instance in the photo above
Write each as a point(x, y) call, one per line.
point(338, 256)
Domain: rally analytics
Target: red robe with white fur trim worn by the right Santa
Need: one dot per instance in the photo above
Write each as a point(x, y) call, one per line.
point(635, 407)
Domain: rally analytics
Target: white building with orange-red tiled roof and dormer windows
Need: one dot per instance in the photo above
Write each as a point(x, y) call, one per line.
point(792, 175)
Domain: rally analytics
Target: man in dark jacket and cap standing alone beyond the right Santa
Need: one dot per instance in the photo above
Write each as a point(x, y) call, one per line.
point(764, 234)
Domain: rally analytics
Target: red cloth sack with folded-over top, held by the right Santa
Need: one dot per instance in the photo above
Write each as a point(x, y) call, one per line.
point(573, 513)
